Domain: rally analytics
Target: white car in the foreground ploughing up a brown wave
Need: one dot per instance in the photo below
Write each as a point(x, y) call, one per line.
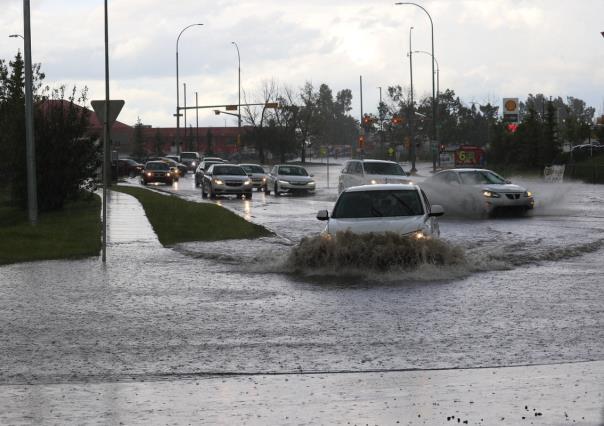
point(400, 208)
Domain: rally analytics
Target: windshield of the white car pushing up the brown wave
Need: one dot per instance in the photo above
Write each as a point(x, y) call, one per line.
point(387, 203)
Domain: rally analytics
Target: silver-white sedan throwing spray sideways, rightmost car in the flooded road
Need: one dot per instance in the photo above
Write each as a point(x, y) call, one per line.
point(477, 191)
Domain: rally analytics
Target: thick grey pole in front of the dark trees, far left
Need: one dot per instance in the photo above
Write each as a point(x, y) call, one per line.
point(32, 187)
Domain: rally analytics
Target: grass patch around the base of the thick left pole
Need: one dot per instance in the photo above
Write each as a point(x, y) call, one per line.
point(71, 233)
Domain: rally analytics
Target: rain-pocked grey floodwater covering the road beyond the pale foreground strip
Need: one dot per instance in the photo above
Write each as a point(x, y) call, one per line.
point(530, 291)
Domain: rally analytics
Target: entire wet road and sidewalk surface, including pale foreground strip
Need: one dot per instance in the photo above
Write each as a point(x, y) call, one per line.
point(126, 341)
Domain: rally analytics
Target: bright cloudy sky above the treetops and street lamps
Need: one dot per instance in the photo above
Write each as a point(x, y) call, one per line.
point(487, 49)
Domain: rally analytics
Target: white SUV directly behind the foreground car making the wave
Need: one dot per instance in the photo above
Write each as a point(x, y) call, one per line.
point(371, 172)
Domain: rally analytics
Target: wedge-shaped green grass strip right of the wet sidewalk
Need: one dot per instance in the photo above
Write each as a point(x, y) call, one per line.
point(175, 220)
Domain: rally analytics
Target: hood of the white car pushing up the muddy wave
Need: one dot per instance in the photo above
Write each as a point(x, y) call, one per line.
point(399, 225)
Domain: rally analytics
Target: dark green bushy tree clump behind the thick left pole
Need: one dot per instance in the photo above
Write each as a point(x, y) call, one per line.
point(65, 156)
